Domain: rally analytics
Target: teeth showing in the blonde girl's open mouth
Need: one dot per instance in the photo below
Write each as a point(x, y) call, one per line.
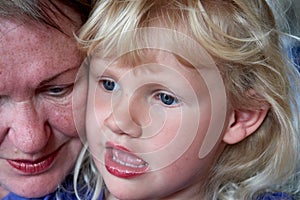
point(127, 160)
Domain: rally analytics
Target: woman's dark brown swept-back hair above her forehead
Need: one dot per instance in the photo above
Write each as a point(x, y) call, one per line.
point(54, 13)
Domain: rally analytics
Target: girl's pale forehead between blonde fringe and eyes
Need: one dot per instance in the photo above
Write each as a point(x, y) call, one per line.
point(154, 65)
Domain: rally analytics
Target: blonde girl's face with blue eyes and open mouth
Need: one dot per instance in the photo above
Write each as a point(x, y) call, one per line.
point(146, 124)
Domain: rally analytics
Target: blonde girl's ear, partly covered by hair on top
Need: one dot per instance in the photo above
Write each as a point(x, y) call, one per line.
point(243, 123)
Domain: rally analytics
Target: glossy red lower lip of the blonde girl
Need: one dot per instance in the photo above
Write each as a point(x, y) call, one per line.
point(122, 171)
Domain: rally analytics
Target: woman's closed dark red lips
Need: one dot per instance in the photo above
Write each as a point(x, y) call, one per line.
point(31, 168)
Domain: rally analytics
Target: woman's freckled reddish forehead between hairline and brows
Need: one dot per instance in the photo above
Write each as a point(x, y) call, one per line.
point(36, 49)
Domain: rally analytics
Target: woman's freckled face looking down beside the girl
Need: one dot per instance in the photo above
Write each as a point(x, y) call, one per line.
point(38, 139)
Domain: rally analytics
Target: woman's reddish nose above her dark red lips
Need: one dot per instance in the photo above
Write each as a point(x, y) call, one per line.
point(28, 131)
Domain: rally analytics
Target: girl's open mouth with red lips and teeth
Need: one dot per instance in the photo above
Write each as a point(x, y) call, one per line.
point(122, 163)
